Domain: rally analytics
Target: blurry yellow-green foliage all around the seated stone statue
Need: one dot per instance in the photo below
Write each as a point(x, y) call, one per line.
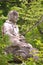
point(29, 14)
